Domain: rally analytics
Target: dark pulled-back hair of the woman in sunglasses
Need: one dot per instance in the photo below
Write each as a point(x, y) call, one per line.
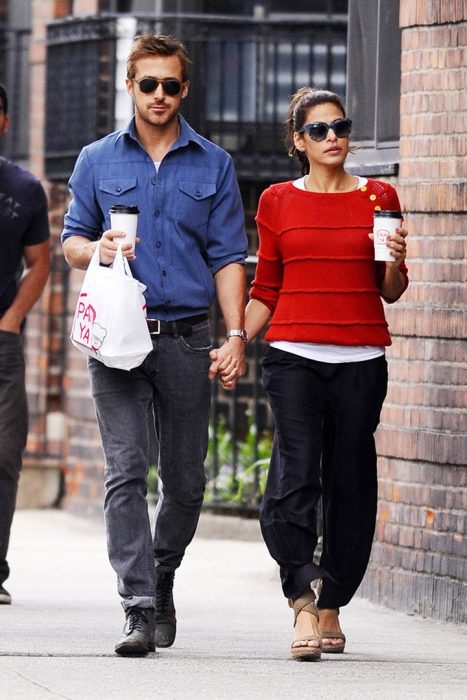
point(301, 102)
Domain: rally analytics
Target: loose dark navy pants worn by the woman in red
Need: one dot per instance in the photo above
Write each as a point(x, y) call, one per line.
point(325, 417)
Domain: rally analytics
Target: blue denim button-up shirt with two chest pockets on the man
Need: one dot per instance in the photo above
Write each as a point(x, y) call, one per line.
point(191, 221)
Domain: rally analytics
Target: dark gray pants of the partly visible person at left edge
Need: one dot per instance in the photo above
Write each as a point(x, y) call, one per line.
point(13, 434)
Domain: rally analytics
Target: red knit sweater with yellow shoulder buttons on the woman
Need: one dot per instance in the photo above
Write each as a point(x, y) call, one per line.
point(316, 271)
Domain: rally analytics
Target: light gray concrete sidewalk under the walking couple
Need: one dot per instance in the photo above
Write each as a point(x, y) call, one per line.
point(57, 639)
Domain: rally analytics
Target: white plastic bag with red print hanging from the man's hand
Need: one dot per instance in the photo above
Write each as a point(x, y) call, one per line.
point(110, 316)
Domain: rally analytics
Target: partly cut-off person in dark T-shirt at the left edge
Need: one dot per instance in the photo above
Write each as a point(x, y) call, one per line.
point(24, 237)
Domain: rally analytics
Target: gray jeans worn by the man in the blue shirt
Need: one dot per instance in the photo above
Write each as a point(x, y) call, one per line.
point(168, 398)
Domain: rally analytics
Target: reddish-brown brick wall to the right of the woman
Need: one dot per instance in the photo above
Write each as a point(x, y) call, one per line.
point(420, 551)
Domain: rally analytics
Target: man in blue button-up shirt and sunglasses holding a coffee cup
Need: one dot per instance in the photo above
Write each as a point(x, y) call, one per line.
point(191, 244)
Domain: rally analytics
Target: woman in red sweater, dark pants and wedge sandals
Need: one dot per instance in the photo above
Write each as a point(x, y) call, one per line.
point(325, 373)
